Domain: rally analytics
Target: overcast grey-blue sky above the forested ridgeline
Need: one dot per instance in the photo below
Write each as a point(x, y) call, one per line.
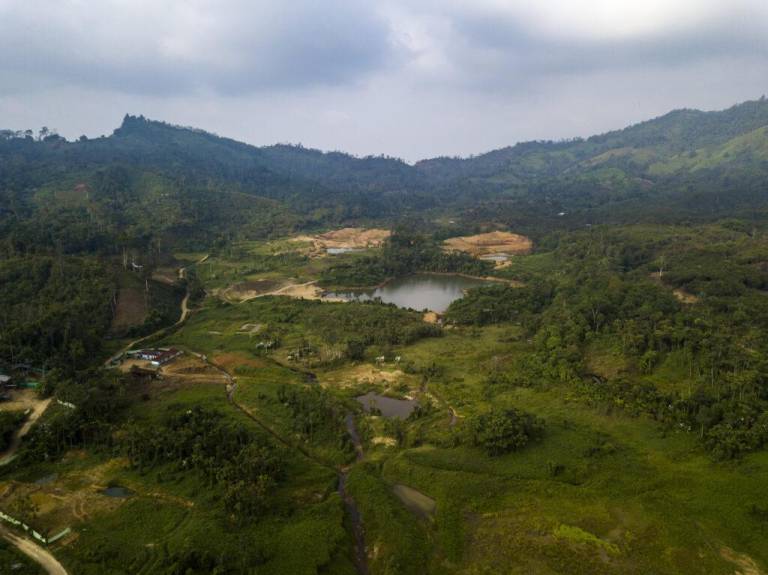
point(408, 78)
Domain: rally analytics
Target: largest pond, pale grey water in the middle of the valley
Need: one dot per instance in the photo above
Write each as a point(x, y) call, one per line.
point(434, 292)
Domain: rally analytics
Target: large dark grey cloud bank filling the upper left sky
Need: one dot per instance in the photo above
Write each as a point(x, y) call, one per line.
point(221, 46)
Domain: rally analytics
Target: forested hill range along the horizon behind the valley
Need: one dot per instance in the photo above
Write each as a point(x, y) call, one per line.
point(150, 180)
